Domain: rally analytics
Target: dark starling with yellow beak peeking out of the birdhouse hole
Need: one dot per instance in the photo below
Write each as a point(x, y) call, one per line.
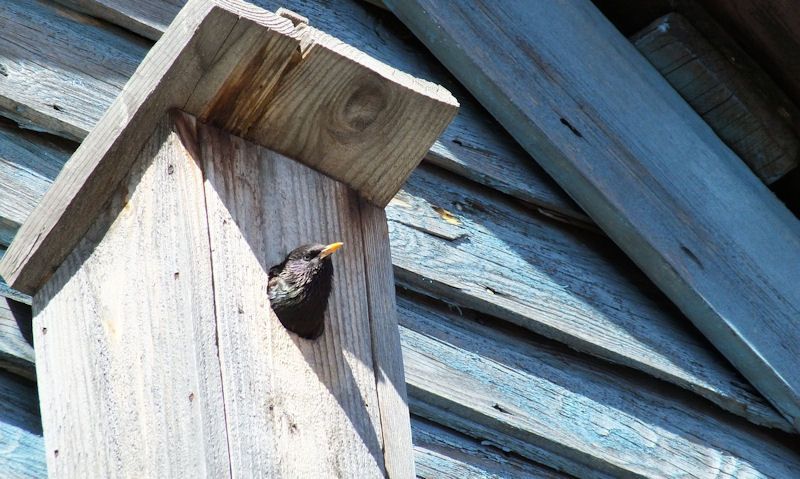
point(299, 287)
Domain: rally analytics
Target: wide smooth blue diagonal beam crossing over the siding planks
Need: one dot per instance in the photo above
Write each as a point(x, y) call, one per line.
point(641, 162)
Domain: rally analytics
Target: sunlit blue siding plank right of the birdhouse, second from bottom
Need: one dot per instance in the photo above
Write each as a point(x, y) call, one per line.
point(618, 423)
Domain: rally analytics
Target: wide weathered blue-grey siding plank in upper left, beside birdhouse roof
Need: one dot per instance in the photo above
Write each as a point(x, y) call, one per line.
point(52, 83)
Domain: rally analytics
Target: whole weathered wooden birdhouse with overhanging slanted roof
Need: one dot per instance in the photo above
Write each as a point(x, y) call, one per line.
point(242, 135)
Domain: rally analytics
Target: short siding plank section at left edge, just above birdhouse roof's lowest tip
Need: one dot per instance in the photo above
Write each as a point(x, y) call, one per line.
point(28, 165)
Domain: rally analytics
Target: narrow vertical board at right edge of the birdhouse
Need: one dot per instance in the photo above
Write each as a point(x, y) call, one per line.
point(387, 356)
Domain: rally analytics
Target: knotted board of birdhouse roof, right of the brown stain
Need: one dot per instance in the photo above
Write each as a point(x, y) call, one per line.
point(352, 117)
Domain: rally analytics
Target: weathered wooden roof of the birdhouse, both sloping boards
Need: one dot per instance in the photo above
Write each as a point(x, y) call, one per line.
point(216, 52)
